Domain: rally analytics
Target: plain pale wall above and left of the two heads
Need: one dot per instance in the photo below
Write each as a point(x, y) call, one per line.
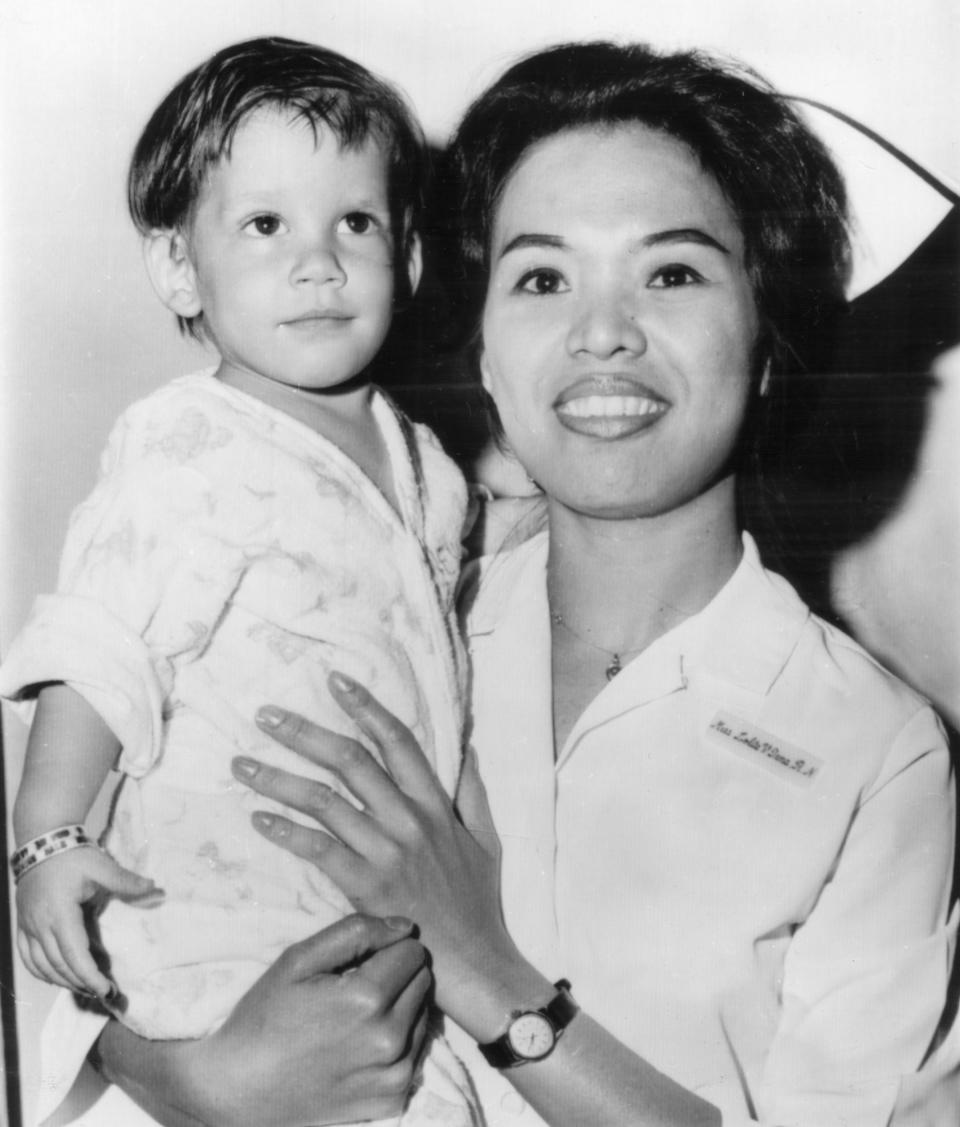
point(82, 334)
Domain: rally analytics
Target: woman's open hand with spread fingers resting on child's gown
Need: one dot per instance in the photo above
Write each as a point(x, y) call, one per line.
point(407, 853)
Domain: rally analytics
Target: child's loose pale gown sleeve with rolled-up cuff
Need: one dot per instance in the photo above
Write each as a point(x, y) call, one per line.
point(146, 573)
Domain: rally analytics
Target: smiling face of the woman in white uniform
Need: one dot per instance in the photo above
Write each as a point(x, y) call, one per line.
point(620, 324)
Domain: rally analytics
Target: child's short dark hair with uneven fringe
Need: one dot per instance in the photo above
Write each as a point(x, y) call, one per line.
point(194, 127)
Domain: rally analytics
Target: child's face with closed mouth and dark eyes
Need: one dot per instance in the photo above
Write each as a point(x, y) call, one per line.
point(292, 255)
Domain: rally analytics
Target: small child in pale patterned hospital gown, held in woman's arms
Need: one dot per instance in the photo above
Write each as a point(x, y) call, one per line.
point(253, 530)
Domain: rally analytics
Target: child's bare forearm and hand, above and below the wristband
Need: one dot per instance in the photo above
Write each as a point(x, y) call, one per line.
point(69, 756)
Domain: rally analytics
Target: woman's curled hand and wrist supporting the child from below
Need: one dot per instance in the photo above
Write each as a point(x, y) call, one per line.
point(331, 1034)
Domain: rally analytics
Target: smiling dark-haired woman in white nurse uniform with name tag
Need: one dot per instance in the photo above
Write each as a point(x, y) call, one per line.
point(712, 876)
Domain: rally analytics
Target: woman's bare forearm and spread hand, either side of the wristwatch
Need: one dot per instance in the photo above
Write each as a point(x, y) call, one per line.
point(407, 847)
